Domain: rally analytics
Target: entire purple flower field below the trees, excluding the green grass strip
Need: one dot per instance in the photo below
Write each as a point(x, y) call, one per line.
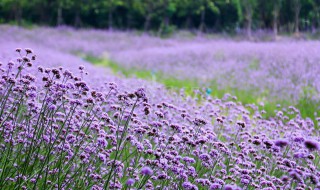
point(67, 124)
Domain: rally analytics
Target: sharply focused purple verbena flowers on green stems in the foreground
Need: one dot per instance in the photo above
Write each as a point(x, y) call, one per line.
point(60, 132)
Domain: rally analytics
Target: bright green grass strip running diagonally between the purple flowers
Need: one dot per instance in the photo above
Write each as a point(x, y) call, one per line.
point(307, 107)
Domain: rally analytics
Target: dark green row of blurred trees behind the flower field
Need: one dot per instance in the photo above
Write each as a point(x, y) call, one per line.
point(163, 16)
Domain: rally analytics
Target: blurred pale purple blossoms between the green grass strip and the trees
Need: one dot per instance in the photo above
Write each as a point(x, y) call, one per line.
point(278, 70)
